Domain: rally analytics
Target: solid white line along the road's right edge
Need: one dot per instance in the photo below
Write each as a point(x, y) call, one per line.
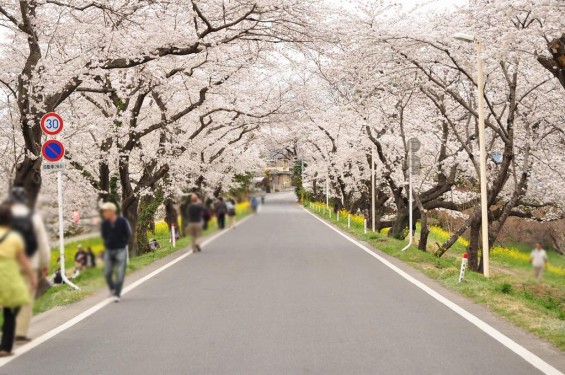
point(528, 356)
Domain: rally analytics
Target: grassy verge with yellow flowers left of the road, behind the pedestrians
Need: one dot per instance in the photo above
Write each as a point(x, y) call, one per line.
point(92, 280)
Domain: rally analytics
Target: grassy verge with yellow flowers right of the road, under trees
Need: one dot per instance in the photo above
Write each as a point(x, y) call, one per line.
point(511, 291)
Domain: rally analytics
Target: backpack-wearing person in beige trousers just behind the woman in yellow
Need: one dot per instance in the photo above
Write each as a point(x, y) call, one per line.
point(29, 225)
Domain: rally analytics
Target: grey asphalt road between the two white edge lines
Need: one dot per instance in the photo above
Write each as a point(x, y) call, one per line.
point(281, 294)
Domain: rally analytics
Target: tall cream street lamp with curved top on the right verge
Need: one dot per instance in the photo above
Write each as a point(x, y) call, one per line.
point(483, 168)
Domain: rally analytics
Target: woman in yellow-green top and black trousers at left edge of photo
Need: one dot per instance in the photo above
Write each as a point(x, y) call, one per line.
point(14, 292)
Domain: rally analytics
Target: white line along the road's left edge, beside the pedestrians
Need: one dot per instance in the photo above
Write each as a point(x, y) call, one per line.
point(82, 316)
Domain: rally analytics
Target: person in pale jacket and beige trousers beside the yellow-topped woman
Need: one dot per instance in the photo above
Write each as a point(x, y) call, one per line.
point(39, 260)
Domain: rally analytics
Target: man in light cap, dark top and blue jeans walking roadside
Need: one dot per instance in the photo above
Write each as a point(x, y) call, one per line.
point(116, 233)
